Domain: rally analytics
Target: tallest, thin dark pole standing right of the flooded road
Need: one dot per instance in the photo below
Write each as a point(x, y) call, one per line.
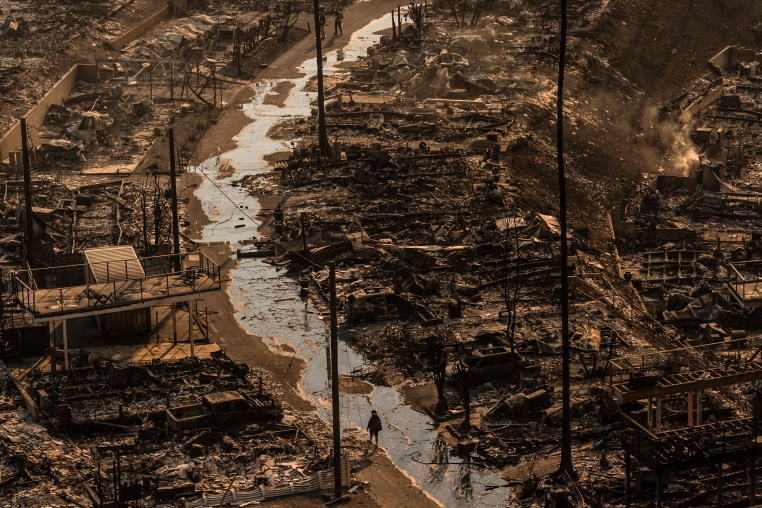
point(566, 465)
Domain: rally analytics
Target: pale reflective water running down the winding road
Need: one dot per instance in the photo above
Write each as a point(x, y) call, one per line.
point(267, 304)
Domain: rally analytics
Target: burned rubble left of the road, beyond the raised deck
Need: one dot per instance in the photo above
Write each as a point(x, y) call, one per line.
point(99, 153)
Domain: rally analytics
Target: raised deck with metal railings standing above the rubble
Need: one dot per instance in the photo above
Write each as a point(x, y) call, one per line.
point(160, 286)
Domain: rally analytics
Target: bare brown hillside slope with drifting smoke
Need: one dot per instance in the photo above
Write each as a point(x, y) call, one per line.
point(621, 68)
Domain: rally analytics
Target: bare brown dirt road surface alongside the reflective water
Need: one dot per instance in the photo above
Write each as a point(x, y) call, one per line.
point(389, 487)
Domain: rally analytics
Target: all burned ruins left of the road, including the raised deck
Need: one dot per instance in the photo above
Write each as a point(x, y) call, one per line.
point(169, 416)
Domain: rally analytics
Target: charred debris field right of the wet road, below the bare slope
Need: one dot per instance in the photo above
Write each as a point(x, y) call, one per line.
point(449, 274)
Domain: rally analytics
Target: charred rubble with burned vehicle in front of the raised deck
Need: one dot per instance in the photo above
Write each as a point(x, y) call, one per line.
point(111, 430)
